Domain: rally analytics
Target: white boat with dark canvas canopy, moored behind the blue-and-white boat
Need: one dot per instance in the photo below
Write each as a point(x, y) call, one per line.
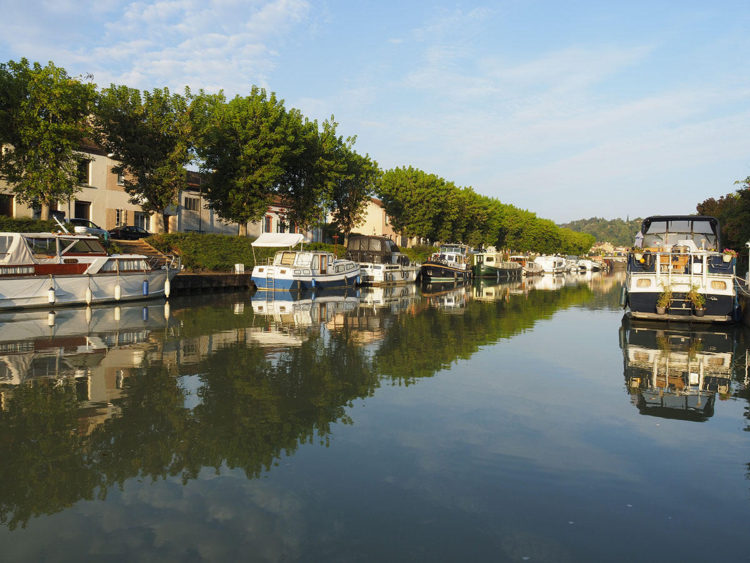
point(380, 260)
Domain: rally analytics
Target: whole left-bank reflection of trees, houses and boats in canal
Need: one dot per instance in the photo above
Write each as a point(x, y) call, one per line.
point(226, 383)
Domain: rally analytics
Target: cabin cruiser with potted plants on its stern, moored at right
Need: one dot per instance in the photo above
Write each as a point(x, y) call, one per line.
point(678, 272)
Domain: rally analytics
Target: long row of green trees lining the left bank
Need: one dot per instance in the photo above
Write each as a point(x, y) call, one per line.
point(251, 149)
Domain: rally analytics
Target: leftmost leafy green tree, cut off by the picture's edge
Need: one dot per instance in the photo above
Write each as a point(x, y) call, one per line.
point(44, 120)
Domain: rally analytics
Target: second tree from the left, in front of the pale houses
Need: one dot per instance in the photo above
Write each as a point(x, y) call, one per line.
point(151, 135)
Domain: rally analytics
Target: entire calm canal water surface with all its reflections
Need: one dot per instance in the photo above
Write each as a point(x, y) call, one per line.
point(489, 423)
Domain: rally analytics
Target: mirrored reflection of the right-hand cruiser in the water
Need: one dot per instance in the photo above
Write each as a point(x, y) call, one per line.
point(677, 371)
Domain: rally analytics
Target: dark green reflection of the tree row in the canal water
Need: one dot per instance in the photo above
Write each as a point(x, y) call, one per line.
point(256, 404)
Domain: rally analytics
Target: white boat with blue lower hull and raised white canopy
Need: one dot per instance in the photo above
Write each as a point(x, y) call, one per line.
point(301, 270)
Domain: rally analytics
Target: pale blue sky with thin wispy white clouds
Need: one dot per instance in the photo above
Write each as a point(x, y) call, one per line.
point(570, 109)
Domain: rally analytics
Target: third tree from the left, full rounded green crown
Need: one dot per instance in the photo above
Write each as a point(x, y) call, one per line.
point(244, 147)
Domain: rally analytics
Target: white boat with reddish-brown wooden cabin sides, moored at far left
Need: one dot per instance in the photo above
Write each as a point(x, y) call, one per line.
point(54, 269)
